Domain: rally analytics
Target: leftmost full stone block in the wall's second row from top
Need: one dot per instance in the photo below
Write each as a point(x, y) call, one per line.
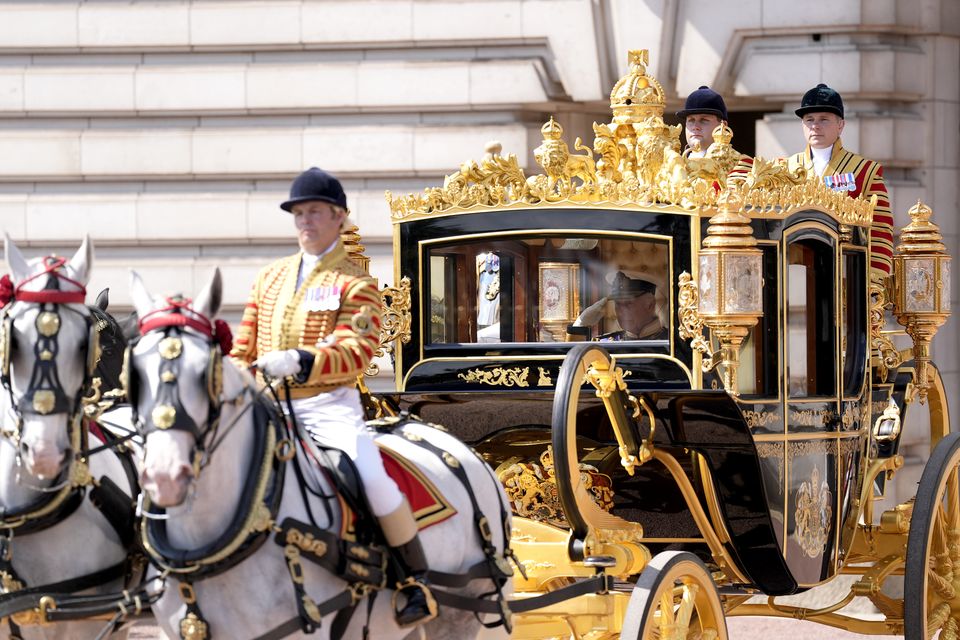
point(79, 89)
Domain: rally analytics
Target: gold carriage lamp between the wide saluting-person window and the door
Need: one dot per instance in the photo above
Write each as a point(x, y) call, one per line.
point(730, 285)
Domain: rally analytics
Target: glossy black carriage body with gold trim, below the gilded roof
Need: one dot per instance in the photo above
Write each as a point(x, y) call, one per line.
point(778, 466)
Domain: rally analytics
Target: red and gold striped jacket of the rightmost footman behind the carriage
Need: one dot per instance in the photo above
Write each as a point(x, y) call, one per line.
point(867, 181)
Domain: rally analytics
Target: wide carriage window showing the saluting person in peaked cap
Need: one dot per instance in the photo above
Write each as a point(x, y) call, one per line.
point(548, 289)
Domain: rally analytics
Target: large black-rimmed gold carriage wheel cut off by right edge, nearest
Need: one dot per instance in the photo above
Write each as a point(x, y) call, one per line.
point(932, 579)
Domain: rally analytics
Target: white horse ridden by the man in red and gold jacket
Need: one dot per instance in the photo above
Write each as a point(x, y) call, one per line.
point(199, 474)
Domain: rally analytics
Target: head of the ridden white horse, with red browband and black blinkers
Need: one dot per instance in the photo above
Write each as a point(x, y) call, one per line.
point(175, 379)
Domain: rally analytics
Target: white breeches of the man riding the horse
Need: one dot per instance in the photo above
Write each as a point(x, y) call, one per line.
point(335, 419)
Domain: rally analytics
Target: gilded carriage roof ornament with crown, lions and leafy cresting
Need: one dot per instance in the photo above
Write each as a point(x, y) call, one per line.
point(635, 160)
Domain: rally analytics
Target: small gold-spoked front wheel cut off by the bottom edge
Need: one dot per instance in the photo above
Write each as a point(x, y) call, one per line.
point(675, 599)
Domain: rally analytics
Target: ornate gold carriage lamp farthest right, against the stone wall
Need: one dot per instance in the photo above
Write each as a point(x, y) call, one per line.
point(921, 275)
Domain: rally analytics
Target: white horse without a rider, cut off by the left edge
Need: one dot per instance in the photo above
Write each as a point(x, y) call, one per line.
point(49, 349)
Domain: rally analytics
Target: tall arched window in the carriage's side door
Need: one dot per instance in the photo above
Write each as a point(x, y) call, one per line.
point(811, 328)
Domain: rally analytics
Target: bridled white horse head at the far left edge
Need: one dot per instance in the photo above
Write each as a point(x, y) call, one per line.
point(48, 350)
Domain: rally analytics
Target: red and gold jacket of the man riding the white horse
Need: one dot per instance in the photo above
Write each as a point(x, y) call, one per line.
point(334, 315)
